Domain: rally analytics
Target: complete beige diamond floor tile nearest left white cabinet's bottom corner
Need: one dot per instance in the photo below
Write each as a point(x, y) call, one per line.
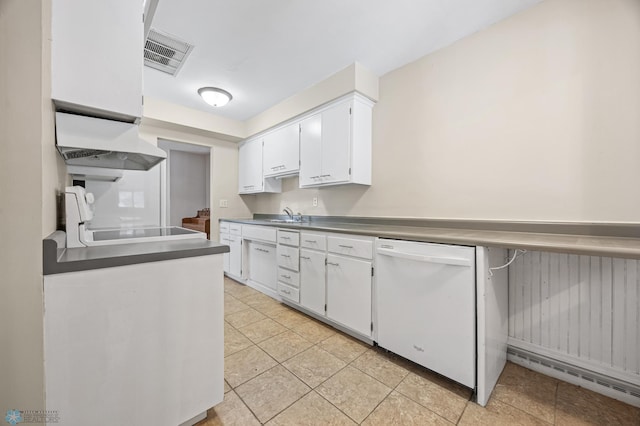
point(271, 392)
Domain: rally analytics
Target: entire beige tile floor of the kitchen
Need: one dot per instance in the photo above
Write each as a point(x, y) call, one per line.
point(285, 368)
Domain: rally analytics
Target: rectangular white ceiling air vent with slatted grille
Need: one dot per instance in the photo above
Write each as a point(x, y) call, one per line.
point(164, 52)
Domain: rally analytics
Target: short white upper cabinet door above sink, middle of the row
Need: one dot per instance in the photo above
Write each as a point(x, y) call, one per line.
point(282, 152)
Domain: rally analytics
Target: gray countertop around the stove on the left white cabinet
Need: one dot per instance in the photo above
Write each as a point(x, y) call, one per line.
point(57, 259)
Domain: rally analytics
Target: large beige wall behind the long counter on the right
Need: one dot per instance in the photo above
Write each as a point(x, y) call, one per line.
point(534, 118)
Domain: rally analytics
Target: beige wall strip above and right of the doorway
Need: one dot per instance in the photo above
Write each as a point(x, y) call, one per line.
point(223, 170)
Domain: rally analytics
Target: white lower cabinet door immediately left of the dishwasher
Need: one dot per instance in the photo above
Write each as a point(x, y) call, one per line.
point(349, 292)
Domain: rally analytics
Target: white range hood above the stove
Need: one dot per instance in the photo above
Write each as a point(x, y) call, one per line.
point(96, 142)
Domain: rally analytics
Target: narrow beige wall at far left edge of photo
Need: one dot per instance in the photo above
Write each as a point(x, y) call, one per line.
point(29, 178)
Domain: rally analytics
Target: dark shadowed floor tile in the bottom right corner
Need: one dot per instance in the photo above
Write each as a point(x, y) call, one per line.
point(580, 406)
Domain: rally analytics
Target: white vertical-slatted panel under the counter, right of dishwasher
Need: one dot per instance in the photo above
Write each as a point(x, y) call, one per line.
point(583, 307)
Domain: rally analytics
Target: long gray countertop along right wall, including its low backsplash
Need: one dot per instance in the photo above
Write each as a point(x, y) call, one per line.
point(595, 239)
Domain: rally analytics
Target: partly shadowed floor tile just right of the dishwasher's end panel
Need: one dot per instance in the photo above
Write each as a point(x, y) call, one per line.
point(527, 390)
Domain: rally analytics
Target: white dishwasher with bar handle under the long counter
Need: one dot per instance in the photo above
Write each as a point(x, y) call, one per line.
point(425, 300)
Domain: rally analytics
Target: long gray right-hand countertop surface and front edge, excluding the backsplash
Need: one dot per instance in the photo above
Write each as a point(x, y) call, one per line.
point(592, 245)
